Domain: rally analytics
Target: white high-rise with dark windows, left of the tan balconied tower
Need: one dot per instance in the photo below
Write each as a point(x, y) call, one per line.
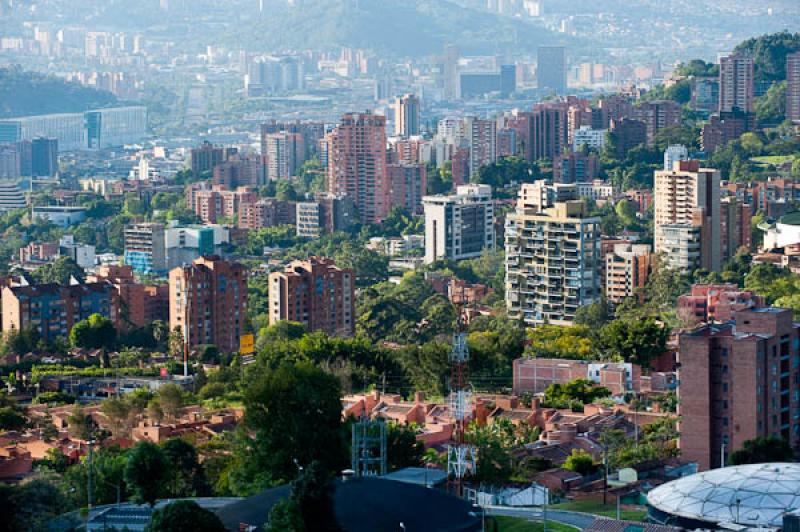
point(459, 226)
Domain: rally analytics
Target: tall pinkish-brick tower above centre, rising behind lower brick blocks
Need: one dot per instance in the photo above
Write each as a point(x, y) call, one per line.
point(357, 164)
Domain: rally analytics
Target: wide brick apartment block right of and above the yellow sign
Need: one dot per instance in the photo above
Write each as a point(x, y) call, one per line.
point(316, 293)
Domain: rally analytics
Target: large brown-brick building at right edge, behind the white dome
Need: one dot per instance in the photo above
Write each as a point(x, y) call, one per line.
point(738, 381)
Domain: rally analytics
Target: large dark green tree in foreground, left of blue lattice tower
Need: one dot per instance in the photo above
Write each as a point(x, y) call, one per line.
point(295, 412)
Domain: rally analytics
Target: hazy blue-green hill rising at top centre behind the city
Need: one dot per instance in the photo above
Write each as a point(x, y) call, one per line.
point(404, 27)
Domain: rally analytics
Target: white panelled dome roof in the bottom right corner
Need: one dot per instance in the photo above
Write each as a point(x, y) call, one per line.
point(755, 494)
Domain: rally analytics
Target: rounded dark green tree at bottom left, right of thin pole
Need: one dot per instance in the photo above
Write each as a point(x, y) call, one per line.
point(147, 473)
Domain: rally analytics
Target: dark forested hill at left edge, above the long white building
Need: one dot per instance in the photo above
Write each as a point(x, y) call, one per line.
point(29, 93)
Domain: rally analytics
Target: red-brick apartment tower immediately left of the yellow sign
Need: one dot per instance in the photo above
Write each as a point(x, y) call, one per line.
point(208, 299)
